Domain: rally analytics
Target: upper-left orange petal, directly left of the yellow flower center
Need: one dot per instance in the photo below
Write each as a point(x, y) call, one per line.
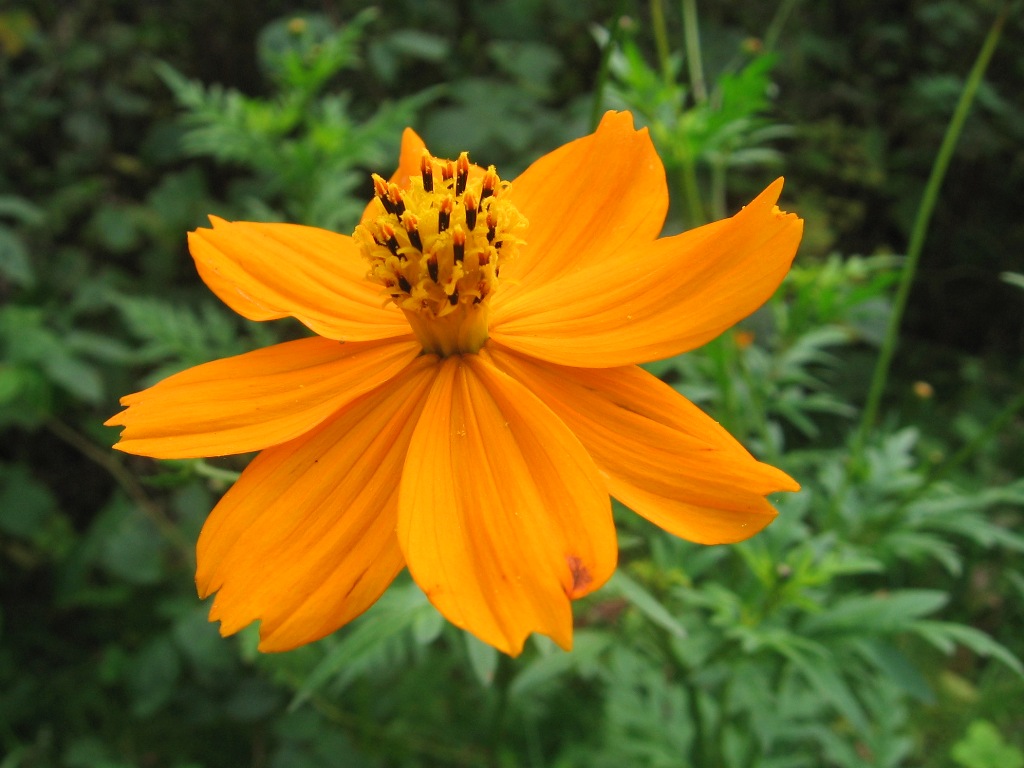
point(266, 272)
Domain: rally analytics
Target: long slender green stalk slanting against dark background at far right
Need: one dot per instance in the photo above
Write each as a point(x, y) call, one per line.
point(920, 231)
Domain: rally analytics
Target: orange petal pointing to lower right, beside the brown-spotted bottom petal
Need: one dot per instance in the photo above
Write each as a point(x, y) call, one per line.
point(664, 458)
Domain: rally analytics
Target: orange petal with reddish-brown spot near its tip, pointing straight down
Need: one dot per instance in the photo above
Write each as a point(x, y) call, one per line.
point(503, 518)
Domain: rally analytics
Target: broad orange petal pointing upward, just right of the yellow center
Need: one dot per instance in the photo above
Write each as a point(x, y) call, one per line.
point(585, 201)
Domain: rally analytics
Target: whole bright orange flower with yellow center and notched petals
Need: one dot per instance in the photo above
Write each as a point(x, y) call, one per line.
point(472, 399)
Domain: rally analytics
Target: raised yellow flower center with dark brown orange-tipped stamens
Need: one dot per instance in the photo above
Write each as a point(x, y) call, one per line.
point(437, 248)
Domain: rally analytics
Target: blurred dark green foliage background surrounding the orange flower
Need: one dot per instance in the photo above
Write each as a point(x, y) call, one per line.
point(879, 622)
